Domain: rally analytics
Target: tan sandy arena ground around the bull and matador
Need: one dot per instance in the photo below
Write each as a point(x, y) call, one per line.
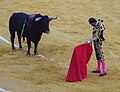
point(19, 73)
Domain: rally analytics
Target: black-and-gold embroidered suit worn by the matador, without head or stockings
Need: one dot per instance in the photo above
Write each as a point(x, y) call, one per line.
point(97, 39)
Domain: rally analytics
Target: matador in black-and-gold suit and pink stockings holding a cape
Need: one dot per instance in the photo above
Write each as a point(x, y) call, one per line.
point(98, 38)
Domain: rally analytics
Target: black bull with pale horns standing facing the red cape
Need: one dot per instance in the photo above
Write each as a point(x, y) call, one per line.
point(30, 26)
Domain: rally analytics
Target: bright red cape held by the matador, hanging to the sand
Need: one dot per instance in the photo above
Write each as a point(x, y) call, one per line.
point(78, 66)
